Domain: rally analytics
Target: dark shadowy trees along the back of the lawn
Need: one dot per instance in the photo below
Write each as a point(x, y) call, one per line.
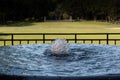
point(35, 10)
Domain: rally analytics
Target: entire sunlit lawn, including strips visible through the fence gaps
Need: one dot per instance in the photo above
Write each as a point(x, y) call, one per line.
point(60, 27)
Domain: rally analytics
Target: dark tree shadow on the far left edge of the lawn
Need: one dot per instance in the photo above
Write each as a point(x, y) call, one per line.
point(17, 24)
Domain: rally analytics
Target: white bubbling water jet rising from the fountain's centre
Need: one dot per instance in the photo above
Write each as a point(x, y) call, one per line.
point(60, 47)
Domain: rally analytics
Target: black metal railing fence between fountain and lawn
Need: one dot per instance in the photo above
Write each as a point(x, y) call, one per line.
point(76, 37)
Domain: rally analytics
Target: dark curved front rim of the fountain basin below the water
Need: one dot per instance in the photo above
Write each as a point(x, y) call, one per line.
point(30, 77)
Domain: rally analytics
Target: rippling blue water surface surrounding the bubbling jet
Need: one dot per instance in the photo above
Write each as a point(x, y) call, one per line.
point(84, 60)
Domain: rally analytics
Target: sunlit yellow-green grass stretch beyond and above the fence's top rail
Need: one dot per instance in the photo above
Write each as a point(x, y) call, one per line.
point(72, 27)
